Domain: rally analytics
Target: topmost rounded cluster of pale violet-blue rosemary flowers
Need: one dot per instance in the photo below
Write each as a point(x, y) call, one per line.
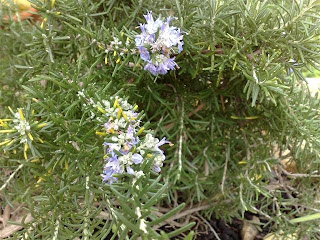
point(157, 42)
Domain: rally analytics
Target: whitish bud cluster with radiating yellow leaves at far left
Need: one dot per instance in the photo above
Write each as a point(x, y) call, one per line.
point(18, 129)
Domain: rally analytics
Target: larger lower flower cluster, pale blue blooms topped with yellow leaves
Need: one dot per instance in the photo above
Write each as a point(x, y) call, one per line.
point(125, 150)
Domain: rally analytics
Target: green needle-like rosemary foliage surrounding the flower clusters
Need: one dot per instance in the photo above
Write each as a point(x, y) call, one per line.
point(236, 107)
